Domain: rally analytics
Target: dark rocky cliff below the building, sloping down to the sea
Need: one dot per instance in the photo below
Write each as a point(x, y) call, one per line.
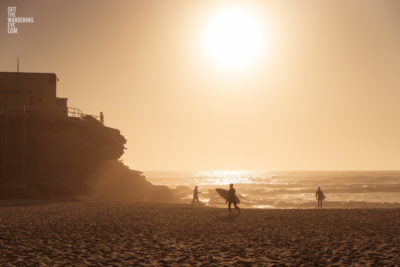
point(69, 157)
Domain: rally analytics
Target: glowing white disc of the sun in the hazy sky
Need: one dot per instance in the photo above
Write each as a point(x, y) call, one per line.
point(234, 38)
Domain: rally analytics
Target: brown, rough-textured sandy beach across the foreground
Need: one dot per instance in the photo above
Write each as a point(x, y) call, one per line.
point(81, 233)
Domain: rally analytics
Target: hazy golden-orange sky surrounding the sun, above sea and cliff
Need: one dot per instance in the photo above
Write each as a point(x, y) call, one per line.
point(323, 92)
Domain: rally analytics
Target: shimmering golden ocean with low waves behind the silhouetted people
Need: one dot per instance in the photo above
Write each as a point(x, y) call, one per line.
point(260, 189)
